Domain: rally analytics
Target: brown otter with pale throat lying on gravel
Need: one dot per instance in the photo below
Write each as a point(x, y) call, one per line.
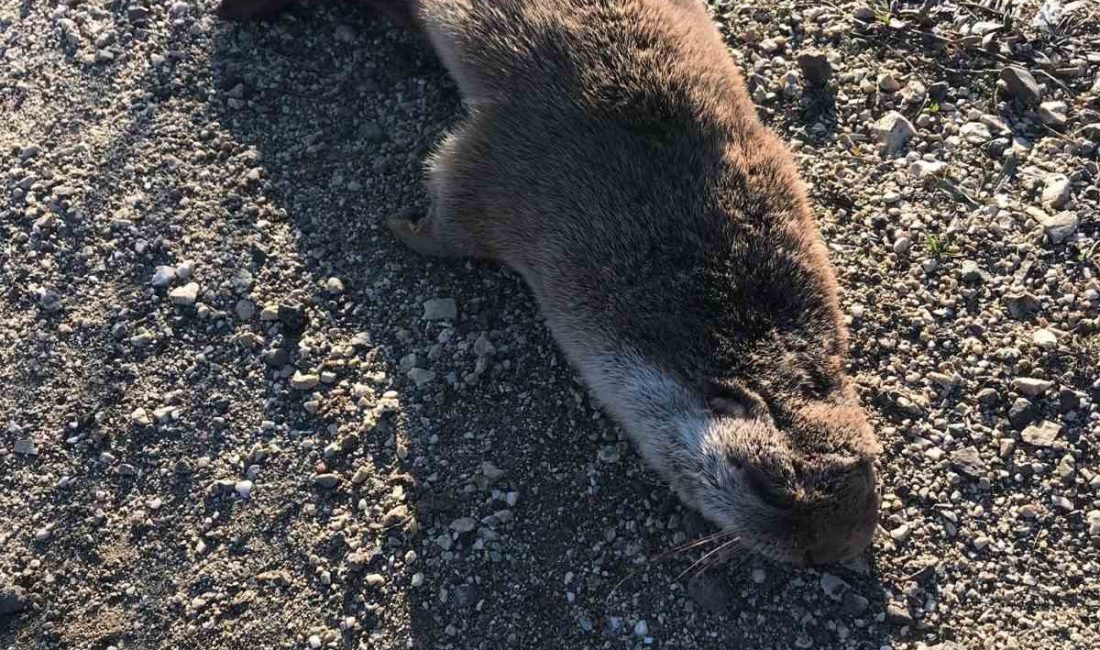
point(611, 156)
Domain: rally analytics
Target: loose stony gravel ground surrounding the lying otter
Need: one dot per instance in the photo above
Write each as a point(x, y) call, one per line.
point(237, 414)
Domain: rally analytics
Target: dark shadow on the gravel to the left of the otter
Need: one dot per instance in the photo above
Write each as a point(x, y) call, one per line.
point(342, 112)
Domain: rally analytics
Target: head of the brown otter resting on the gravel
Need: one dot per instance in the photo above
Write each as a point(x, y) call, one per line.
point(795, 481)
